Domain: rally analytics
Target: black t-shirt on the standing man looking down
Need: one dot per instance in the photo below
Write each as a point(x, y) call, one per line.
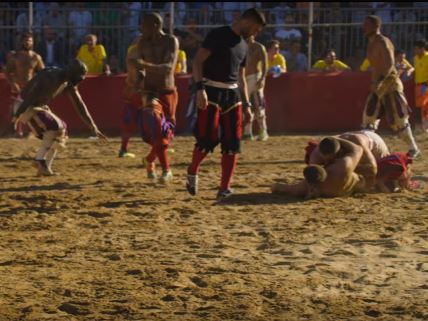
point(228, 54)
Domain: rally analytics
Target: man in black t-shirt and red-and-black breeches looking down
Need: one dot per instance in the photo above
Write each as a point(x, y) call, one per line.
point(218, 67)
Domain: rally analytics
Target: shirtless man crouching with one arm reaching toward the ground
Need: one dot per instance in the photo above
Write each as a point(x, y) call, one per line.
point(35, 113)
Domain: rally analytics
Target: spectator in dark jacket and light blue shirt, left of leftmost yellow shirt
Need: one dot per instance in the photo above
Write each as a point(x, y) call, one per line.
point(50, 48)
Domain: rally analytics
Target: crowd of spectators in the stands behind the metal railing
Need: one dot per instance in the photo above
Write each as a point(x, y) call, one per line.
point(60, 29)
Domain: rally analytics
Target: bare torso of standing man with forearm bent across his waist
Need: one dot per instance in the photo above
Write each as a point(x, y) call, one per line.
point(163, 52)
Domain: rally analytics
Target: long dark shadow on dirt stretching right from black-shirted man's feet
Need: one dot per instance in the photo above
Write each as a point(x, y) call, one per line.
point(259, 198)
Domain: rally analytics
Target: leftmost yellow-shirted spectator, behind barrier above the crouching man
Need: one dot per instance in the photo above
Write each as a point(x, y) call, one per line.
point(94, 56)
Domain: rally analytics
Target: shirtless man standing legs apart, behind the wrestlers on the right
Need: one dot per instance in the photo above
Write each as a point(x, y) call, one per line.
point(386, 96)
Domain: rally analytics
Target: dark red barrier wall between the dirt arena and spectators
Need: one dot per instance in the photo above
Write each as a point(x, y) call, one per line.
point(297, 102)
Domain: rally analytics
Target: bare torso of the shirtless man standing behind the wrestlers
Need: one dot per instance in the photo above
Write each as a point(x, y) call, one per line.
point(380, 53)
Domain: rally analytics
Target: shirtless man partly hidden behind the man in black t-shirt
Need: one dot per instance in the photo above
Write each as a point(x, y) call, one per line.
point(255, 72)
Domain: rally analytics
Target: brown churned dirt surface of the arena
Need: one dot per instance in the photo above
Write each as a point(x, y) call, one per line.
point(102, 242)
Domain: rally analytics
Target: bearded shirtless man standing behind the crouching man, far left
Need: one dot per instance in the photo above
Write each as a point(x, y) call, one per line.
point(20, 68)
